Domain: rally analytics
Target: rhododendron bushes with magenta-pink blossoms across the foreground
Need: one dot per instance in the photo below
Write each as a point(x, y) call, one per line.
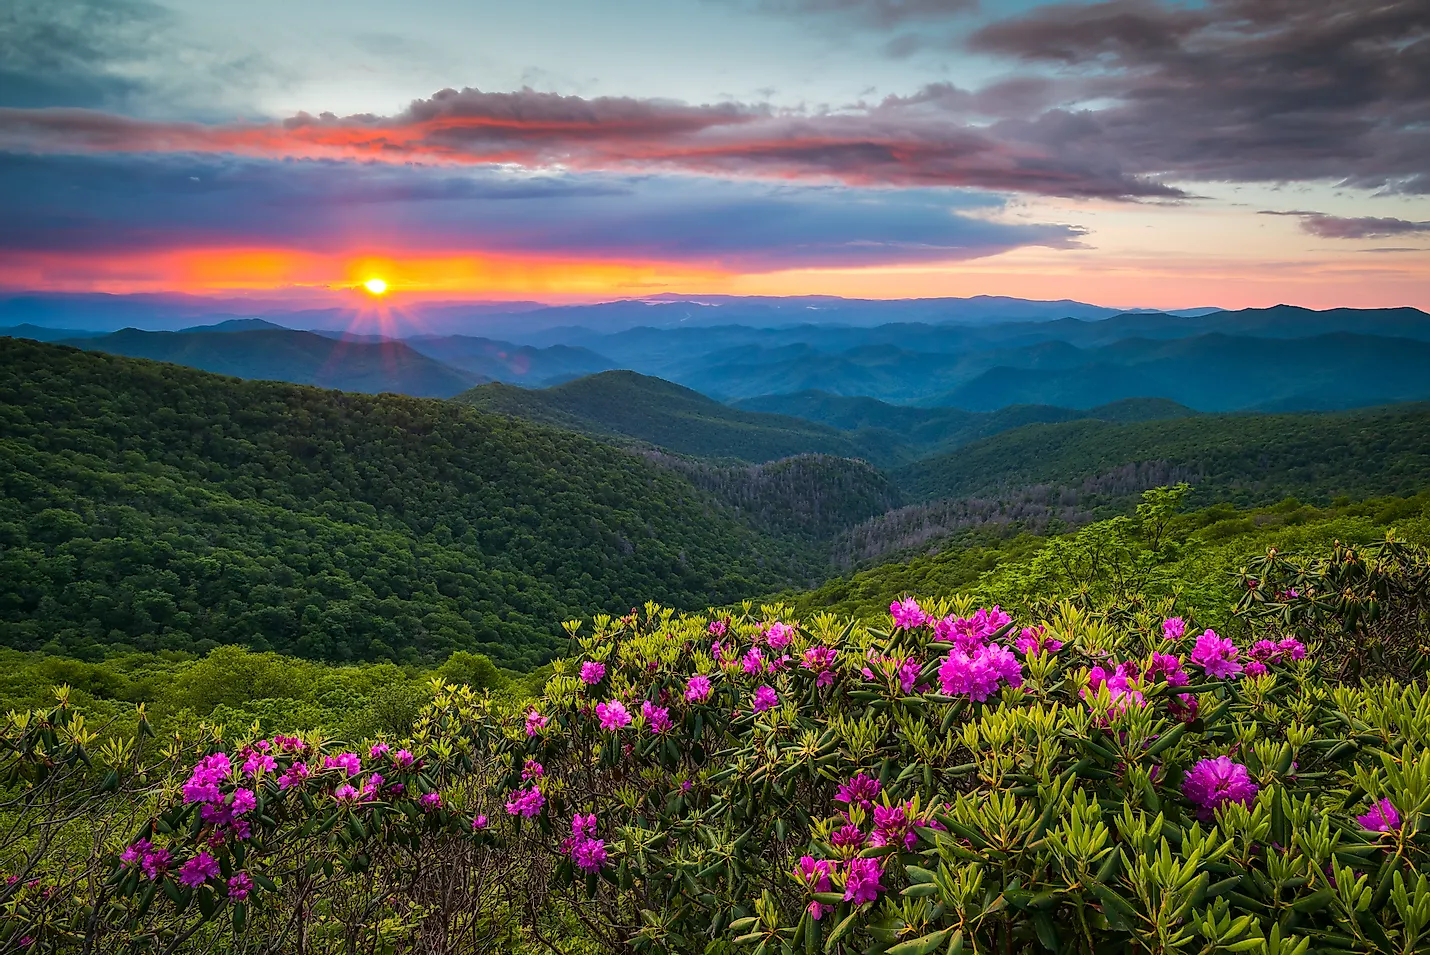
point(946, 780)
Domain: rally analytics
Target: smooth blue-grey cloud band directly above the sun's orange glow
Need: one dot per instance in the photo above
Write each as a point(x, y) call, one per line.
point(97, 205)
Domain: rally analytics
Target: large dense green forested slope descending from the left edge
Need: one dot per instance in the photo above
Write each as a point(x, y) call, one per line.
point(154, 507)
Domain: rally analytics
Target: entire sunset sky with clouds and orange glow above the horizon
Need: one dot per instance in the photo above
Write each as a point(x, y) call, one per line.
point(1130, 154)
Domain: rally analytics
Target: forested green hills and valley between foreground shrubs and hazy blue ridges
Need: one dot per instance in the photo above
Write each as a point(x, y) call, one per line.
point(352, 527)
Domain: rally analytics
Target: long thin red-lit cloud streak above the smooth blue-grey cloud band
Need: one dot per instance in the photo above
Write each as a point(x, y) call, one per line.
point(910, 142)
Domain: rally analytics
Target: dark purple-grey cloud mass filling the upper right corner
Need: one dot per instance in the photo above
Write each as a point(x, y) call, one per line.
point(1241, 91)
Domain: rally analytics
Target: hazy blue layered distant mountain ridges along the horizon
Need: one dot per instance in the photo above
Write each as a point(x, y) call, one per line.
point(972, 355)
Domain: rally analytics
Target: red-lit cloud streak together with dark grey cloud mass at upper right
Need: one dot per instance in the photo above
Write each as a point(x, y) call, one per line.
point(1123, 99)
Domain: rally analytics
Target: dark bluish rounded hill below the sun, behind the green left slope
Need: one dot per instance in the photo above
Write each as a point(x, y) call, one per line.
point(285, 355)
